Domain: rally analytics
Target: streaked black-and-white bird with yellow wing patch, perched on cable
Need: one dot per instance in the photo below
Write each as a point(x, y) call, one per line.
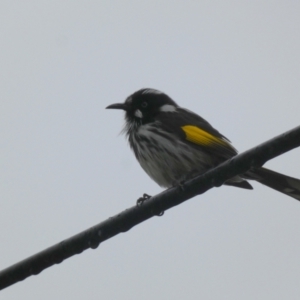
point(173, 144)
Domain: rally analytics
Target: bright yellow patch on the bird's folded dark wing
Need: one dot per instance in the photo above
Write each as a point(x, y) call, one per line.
point(198, 136)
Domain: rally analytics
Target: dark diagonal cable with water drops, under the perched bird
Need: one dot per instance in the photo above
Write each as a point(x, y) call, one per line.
point(156, 205)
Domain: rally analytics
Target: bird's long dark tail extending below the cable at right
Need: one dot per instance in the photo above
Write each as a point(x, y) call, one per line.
point(279, 182)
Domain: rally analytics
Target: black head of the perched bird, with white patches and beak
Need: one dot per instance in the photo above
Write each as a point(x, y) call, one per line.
point(143, 106)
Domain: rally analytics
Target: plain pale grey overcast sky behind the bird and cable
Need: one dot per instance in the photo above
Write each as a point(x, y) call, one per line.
point(64, 166)
